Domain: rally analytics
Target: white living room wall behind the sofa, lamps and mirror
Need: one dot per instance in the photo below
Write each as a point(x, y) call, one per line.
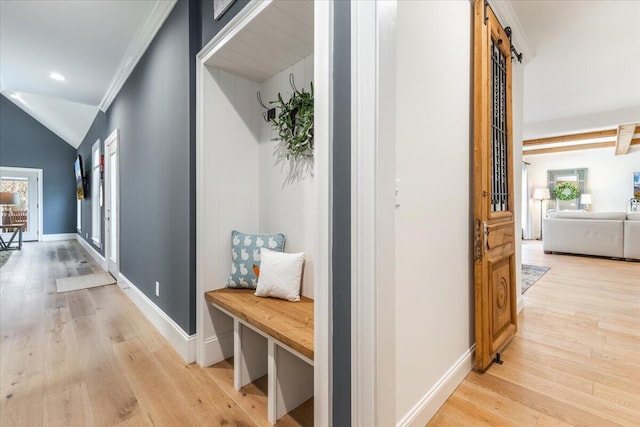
point(610, 177)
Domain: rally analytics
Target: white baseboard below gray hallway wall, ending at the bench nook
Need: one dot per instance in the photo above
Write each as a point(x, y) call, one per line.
point(183, 343)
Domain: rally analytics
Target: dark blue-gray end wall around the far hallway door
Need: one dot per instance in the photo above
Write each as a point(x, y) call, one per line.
point(25, 143)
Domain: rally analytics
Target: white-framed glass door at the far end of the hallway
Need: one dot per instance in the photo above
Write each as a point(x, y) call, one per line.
point(24, 182)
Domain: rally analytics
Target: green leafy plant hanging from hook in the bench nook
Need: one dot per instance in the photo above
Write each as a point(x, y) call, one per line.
point(295, 124)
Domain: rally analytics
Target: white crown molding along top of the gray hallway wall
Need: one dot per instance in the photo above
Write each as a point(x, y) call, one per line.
point(137, 48)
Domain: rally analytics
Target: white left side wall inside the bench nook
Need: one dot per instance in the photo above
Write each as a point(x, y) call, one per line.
point(230, 155)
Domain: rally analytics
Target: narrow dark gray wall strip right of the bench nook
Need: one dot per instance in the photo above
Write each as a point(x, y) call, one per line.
point(341, 256)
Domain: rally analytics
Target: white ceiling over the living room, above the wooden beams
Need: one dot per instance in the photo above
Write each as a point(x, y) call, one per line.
point(585, 74)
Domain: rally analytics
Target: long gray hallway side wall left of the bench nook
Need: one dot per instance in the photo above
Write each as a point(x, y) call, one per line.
point(154, 114)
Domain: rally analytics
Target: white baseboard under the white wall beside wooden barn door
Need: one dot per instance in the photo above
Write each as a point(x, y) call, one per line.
point(427, 407)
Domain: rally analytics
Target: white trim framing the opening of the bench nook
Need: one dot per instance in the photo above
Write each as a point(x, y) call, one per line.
point(323, 38)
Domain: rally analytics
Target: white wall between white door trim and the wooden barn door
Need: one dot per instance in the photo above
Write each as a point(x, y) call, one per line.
point(434, 299)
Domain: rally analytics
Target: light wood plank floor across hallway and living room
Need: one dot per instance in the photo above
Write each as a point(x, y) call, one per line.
point(90, 357)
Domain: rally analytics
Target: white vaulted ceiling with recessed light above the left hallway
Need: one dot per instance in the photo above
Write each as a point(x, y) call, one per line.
point(94, 44)
